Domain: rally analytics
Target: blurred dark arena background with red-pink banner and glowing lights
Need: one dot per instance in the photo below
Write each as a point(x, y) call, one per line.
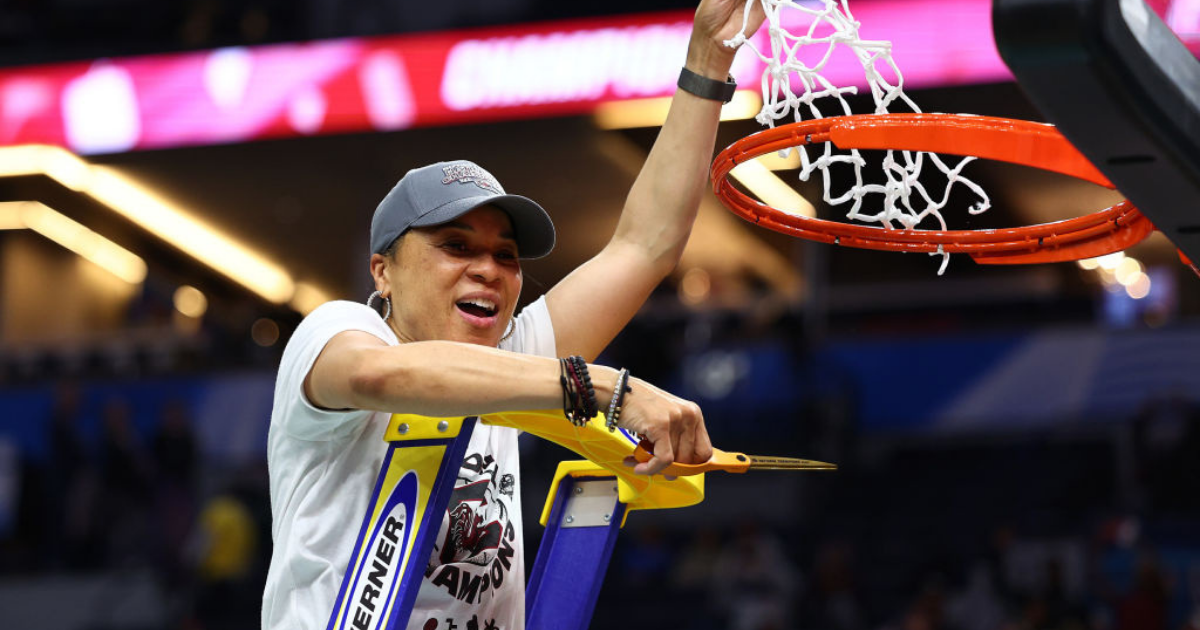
point(1018, 446)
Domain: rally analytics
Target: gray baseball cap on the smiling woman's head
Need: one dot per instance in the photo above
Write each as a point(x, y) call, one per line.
point(442, 193)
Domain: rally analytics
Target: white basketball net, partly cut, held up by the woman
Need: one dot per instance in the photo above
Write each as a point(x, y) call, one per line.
point(795, 83)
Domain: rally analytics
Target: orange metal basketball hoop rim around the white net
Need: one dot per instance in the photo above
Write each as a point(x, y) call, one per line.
point(1018, 142)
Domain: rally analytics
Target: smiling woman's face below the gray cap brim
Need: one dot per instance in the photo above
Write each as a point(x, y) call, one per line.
point(459, 281)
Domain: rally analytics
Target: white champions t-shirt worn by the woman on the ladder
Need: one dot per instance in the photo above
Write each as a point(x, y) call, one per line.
point(325, 465)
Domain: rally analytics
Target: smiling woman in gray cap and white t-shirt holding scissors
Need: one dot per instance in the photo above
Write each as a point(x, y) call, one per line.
point(447, 245)
